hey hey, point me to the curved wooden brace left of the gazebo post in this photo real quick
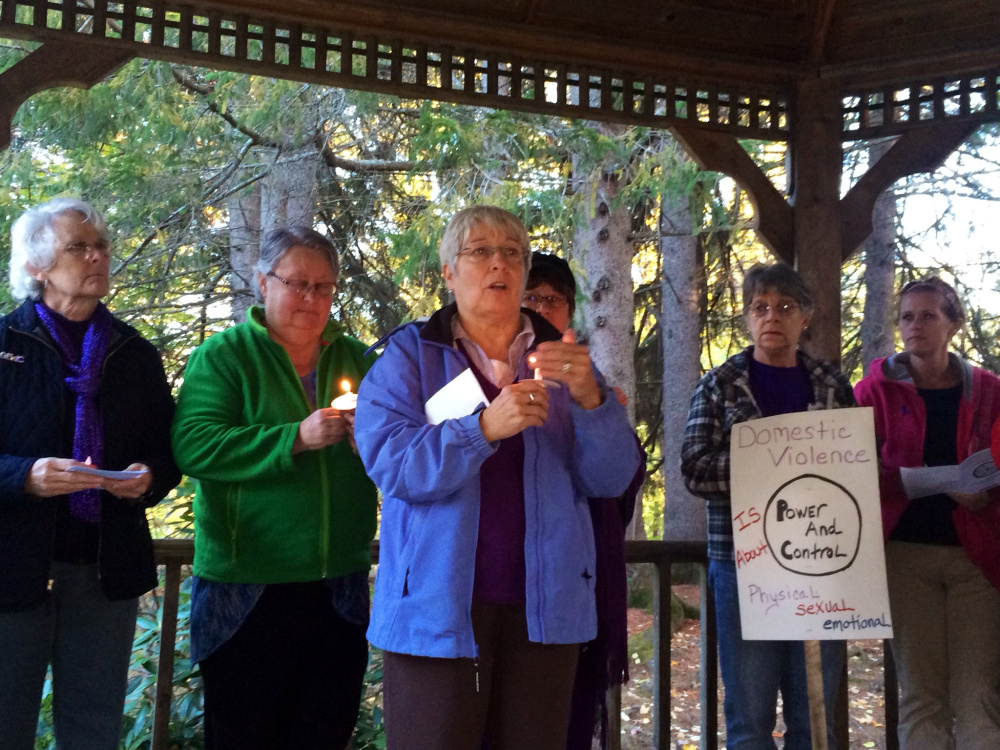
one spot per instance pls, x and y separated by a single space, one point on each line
720 152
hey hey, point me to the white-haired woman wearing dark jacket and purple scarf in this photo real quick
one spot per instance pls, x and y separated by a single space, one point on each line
79 391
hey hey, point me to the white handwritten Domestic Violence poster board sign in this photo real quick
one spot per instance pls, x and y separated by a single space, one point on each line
807 527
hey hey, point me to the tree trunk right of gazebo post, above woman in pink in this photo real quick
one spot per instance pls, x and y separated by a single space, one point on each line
877 324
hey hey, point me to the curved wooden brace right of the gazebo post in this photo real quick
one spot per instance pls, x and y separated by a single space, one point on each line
916 151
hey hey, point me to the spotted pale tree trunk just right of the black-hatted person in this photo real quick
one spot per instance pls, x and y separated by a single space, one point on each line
604 245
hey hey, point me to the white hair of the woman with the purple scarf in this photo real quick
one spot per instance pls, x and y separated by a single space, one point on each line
32 241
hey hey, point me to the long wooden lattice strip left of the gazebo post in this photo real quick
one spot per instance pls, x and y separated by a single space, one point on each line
418 69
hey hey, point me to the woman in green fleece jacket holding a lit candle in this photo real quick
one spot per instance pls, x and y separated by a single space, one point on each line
284 512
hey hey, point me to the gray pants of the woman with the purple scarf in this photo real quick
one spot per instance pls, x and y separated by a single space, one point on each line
88 640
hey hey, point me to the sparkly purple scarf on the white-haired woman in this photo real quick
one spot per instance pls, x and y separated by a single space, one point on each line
83 379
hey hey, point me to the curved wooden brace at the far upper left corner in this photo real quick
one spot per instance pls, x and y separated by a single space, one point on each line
66 63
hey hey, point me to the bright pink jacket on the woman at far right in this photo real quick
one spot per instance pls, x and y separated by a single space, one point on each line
900 424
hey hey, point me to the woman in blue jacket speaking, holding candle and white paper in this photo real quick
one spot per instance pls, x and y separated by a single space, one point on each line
485 585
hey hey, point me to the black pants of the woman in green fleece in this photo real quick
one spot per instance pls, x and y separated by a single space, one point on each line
290 677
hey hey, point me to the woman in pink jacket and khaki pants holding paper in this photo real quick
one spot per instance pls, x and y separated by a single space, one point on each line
933 408
